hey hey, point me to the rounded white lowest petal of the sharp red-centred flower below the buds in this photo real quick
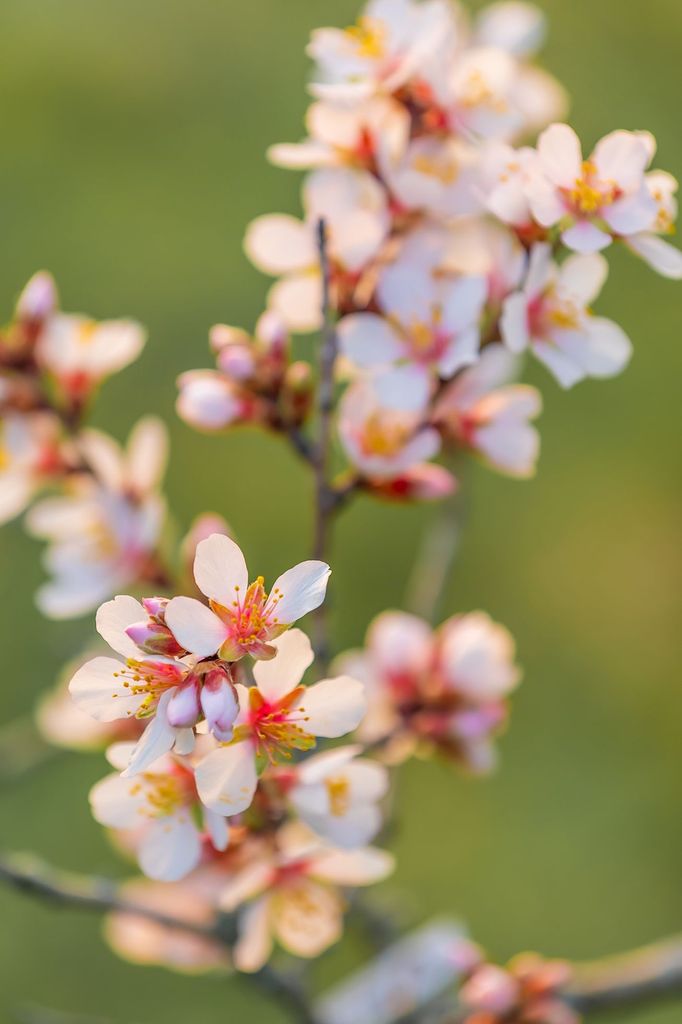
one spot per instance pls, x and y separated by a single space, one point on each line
227 780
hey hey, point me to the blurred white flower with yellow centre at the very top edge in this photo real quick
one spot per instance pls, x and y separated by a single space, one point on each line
391 42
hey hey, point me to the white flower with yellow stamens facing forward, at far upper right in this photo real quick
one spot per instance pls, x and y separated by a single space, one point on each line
592 201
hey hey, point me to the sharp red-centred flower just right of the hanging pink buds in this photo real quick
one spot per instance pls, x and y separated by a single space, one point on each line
277 717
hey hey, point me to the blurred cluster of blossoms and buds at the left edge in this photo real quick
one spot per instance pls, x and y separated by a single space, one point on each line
105 523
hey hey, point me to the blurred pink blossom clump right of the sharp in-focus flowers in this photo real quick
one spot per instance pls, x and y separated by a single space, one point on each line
445 691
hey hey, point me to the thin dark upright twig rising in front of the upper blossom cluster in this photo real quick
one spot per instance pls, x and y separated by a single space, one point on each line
326 498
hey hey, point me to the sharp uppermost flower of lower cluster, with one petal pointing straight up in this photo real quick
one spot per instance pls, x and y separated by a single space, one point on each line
242 618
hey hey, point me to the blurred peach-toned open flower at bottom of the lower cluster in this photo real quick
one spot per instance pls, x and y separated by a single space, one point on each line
294 898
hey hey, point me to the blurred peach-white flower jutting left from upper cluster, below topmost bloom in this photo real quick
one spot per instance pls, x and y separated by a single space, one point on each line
372 136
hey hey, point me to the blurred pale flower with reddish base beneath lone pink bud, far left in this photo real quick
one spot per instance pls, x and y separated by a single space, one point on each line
79 353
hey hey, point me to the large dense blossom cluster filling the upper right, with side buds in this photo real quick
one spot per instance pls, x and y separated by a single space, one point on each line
453 246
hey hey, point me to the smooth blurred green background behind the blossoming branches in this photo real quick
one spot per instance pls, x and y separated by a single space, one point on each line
133 159
